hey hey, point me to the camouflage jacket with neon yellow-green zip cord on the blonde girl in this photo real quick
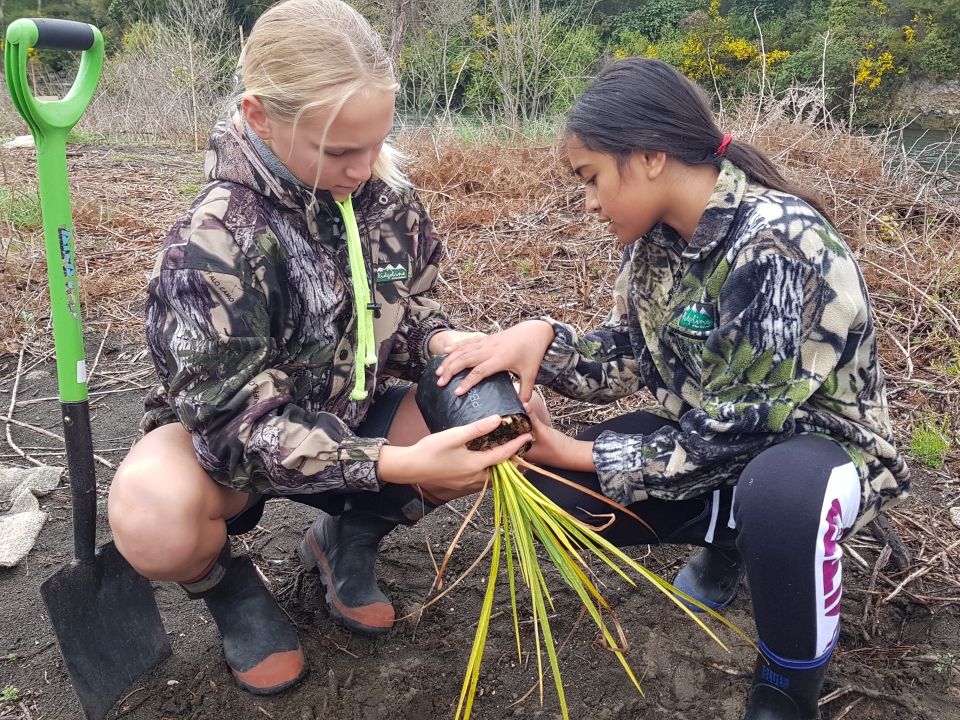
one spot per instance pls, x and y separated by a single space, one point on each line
251 324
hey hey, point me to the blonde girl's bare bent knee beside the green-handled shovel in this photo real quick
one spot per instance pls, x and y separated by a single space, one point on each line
167 514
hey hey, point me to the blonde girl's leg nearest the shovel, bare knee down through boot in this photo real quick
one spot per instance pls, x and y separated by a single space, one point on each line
169 521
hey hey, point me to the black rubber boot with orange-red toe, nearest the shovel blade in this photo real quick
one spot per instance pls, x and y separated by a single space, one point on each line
260 645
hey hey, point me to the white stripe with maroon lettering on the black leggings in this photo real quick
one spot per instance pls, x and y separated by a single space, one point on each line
841 501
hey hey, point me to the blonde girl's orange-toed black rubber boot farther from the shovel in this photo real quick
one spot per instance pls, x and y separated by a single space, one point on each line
343 550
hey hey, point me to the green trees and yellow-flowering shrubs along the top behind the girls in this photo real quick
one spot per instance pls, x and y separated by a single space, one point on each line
521 62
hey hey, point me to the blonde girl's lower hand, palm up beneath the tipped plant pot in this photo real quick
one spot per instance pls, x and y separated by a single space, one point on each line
442 463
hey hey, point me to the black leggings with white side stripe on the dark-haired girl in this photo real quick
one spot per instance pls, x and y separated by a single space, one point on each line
791 506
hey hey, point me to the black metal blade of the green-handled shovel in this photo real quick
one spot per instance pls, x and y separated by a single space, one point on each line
107 625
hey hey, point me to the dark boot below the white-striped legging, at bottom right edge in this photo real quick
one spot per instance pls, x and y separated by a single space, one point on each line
785 693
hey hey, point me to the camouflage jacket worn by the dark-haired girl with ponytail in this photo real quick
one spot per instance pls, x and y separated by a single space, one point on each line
758 329
